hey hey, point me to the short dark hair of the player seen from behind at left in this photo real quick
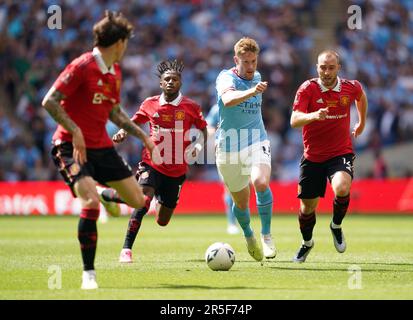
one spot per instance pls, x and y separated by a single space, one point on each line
111 28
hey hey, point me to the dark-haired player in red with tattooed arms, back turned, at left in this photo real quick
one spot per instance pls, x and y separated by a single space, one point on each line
84 96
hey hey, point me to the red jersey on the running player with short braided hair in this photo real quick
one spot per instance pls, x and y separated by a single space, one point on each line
169 122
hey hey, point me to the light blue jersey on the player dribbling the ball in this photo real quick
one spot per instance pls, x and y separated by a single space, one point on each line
239 126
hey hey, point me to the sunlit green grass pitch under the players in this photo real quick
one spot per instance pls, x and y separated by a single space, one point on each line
169 261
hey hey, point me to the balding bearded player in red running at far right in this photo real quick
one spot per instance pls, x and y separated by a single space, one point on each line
322 109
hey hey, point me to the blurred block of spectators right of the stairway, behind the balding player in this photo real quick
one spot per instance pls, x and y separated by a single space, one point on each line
381 56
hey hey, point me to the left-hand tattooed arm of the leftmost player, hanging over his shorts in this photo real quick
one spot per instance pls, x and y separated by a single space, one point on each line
51 103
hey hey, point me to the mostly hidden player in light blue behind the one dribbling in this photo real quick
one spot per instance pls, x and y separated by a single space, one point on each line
213 119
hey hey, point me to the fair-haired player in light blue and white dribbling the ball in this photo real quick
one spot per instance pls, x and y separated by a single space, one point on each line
243 149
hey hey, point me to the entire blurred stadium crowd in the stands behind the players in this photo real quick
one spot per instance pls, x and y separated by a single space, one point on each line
202 34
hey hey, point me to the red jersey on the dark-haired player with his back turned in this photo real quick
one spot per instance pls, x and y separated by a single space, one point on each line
91 91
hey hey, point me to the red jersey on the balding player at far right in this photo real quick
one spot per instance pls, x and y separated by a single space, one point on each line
327 139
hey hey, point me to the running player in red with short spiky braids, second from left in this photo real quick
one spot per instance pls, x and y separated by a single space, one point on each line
170 115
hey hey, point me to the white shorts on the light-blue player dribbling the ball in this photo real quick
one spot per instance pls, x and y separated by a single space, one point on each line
234 168
